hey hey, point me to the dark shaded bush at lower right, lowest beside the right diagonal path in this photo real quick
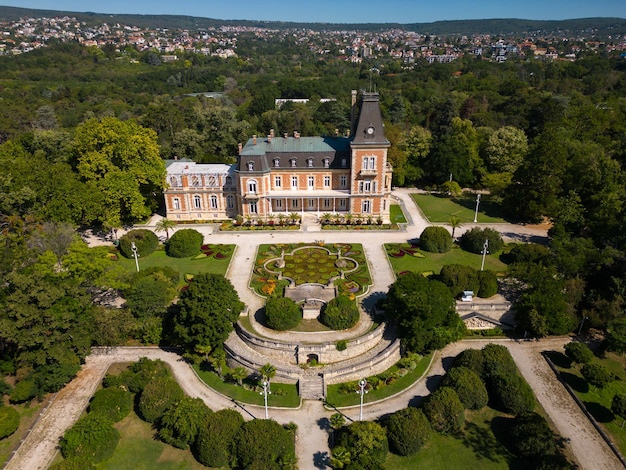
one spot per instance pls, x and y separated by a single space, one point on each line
531 436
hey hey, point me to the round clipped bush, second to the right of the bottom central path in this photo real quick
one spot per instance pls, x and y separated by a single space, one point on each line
407 431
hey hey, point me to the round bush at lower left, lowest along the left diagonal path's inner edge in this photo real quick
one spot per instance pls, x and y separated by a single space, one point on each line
92 437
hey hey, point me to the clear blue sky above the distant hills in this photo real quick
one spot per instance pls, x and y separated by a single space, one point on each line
345 11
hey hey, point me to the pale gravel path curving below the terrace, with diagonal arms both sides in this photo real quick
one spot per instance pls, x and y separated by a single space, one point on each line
39 448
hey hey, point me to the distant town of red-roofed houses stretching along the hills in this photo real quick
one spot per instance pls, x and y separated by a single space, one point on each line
30 33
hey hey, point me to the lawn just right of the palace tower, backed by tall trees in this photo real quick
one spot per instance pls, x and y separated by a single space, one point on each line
439 209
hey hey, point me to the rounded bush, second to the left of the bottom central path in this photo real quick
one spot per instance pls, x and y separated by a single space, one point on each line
215 446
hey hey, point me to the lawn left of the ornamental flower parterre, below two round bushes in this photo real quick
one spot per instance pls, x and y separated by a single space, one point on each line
208 264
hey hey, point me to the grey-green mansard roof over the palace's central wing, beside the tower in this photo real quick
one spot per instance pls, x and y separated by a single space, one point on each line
266 150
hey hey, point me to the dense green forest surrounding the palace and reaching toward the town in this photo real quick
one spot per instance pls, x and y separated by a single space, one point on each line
84 131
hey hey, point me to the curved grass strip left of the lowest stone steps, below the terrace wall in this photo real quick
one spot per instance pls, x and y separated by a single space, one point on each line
283 395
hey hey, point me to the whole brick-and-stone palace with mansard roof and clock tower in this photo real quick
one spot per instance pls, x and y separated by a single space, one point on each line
291 173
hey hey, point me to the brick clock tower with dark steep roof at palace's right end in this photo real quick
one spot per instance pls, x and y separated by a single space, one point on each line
371 173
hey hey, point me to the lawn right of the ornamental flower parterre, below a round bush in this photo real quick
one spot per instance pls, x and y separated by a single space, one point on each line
425 262
